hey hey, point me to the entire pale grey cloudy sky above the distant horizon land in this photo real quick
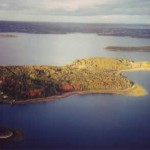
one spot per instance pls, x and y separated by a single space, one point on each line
107 11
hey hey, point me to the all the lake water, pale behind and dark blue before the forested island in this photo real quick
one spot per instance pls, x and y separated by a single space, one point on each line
96 121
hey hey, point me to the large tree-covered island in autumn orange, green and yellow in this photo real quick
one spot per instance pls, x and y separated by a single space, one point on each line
27 84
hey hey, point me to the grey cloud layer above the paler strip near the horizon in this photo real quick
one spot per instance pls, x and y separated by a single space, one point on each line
78 7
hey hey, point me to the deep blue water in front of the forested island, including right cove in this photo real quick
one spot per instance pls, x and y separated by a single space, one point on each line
98 121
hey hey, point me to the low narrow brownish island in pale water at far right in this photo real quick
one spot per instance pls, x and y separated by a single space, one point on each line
129 49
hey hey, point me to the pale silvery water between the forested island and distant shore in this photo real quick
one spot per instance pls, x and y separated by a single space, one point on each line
52 49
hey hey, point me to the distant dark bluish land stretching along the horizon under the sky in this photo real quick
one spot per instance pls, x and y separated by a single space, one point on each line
122 30
